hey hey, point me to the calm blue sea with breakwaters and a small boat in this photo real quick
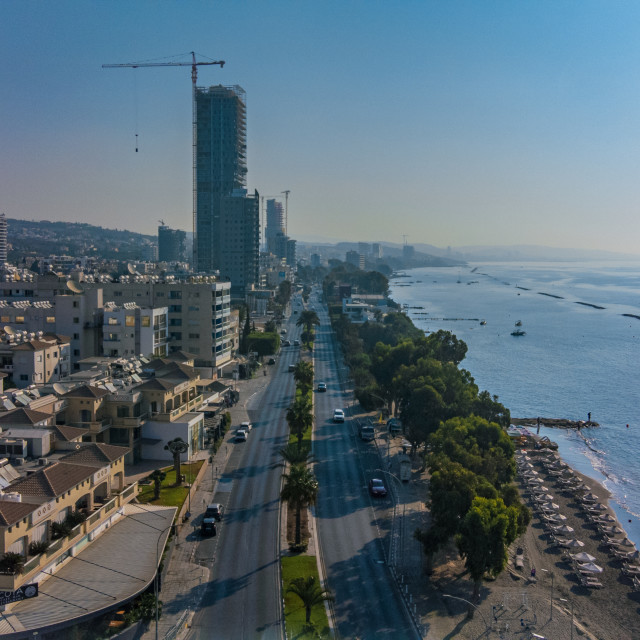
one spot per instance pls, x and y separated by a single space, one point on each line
580 353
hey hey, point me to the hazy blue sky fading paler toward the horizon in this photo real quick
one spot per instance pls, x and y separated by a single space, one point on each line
456 123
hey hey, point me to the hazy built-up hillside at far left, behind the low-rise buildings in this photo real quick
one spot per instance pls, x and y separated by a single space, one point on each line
33 238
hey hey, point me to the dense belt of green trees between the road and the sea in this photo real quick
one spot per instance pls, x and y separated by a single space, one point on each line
458 430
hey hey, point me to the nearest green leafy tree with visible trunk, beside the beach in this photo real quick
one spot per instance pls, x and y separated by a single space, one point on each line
485 533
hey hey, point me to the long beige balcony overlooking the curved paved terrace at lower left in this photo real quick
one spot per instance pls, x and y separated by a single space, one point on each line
63 545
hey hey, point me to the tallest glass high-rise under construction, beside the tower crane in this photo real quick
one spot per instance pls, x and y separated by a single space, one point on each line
227 220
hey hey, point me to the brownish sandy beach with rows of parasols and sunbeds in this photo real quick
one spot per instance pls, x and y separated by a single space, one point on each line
519 605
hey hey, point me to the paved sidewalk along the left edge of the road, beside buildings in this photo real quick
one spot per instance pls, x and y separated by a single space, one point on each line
183 582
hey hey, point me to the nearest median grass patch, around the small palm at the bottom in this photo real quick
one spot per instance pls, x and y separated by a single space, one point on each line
294 613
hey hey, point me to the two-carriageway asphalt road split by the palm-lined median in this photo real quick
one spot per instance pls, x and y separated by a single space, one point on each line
243 599
